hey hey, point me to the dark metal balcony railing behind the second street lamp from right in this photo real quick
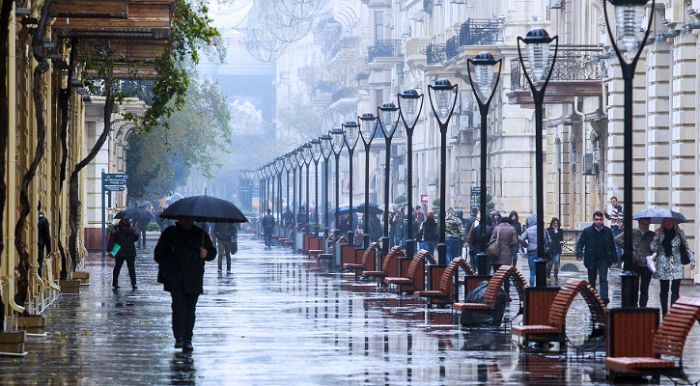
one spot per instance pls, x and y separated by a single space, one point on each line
573 63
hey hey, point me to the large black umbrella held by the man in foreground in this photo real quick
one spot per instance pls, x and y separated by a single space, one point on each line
205 209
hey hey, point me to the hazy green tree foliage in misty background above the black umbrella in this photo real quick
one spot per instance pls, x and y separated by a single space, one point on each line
193 137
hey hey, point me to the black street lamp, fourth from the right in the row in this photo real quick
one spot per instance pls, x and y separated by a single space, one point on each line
445 95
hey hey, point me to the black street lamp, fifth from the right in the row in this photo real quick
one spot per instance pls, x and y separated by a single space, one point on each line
409 110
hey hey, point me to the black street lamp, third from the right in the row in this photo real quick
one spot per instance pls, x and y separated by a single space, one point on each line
483 77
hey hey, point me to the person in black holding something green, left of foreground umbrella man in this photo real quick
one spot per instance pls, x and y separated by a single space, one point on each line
121 247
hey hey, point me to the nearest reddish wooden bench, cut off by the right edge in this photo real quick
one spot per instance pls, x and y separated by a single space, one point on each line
669 340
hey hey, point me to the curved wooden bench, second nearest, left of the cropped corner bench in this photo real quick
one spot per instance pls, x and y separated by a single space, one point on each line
555 329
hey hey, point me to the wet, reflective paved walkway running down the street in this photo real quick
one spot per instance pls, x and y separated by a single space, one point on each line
273 321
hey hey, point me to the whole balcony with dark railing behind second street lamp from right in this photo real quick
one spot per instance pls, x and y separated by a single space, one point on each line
577 72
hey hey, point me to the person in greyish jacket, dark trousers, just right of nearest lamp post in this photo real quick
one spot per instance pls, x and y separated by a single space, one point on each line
641 248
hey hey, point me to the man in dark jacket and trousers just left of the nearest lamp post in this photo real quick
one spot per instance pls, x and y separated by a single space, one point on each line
597 249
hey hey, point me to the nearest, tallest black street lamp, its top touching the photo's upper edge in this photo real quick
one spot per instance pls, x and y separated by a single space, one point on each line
628 44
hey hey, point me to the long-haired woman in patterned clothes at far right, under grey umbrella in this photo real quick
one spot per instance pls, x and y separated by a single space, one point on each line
670 252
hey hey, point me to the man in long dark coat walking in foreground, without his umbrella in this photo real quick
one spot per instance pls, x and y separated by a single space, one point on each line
180 253
